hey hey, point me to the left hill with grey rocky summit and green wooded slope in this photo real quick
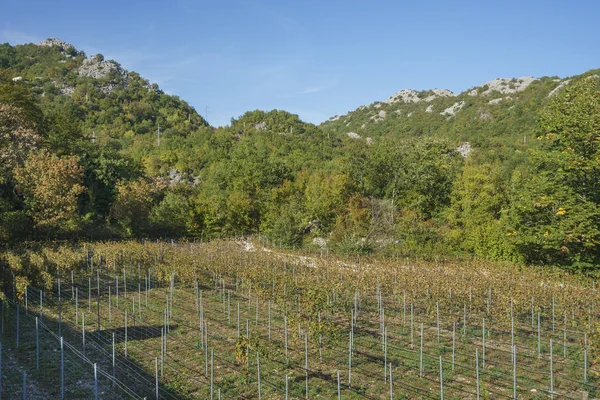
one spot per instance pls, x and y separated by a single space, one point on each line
109 102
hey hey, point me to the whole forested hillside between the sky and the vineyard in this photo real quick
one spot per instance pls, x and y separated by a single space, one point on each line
90 150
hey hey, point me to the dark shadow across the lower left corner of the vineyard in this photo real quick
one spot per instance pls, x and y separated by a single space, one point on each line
133 381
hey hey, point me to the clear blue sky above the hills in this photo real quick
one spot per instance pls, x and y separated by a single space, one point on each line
316 58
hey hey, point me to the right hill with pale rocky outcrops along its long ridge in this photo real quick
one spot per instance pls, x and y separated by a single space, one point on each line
499 114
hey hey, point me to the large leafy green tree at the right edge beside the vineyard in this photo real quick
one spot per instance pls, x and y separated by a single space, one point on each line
554 212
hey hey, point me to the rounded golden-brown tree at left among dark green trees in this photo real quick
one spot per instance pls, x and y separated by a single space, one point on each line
51 186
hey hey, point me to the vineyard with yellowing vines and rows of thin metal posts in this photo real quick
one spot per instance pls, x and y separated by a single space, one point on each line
240 320
